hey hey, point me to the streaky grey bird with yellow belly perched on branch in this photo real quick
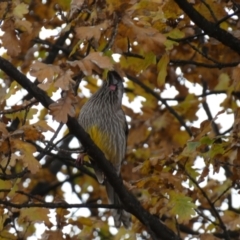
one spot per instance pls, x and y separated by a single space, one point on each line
103 118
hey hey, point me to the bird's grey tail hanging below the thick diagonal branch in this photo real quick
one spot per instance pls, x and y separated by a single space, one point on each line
119 215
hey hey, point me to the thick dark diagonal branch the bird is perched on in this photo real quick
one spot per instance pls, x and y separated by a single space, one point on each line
130 203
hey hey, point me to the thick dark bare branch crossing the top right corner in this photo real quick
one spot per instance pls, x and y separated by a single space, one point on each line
209 28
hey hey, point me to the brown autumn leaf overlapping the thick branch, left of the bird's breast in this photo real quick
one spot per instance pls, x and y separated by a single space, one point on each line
64 107
